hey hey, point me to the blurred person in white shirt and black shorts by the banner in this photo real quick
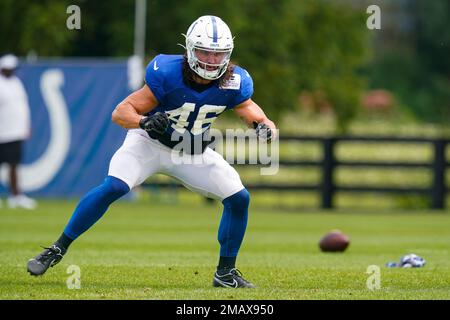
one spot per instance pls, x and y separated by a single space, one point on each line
14 128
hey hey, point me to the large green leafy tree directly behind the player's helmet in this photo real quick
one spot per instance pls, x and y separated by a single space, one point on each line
287 46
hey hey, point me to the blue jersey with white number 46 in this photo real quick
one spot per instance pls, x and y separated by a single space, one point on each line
192 112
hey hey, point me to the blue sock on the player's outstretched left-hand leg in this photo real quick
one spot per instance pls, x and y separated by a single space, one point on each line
93 205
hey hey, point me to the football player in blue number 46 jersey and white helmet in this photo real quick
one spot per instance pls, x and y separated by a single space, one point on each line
182 96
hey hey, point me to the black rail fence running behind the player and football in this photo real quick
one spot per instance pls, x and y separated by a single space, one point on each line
329 163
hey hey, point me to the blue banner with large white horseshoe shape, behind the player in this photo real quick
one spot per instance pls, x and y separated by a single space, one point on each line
73 138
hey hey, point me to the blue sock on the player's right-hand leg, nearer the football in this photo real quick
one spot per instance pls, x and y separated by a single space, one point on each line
233 224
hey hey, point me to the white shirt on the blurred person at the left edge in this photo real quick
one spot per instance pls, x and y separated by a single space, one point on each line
14 110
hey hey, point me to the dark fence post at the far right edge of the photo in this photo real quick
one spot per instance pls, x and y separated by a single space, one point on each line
438 190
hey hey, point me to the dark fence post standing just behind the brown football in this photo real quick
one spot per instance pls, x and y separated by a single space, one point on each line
328 165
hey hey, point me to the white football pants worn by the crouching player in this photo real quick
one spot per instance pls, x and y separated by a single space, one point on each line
140 157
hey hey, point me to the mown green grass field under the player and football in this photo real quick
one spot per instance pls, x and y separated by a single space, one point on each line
162 251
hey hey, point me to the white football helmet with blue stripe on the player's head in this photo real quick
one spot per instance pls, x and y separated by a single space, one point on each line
209 44
